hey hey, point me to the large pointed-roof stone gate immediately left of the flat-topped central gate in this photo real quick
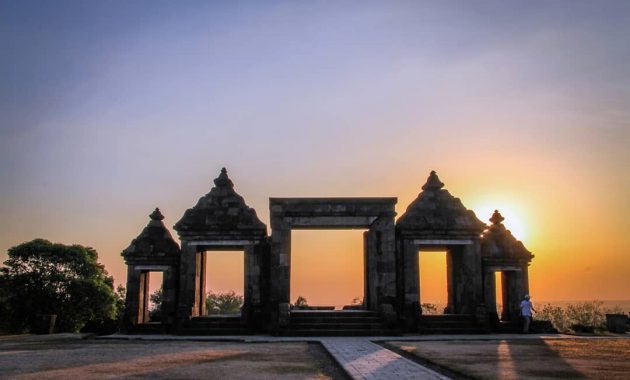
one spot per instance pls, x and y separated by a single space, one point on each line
220 221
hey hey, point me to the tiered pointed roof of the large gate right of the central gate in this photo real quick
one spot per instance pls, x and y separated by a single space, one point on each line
435 213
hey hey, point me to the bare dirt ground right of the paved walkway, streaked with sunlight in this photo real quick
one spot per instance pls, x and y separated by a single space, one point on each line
518 359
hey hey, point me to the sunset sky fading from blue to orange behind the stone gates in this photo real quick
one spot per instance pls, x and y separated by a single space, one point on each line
111 108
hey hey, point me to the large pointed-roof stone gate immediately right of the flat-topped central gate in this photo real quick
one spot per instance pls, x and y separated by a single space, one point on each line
438 220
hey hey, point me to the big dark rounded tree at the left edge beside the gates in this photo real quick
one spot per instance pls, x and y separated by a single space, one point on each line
45 278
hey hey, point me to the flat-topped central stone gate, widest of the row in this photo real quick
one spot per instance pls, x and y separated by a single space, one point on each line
374 214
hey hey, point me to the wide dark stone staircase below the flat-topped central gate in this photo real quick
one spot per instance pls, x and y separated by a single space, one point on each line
335 323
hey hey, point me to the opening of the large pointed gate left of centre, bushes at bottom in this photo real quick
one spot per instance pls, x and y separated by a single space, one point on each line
224 282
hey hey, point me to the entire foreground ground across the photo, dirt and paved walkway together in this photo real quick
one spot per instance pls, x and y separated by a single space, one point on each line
237 357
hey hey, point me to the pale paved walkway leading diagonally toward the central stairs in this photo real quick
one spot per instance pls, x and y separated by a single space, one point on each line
362 359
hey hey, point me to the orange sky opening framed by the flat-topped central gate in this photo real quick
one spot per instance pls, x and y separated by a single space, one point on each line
327 269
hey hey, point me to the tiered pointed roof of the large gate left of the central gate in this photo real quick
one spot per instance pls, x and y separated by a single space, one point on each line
222 214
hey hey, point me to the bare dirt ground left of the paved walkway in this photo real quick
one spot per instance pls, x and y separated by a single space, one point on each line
69 357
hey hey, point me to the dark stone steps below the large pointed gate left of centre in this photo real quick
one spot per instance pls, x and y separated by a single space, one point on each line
215 325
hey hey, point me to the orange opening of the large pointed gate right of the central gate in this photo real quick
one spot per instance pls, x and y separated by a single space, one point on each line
433 280
